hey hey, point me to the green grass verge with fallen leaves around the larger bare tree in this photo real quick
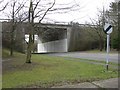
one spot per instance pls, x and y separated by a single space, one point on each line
47 71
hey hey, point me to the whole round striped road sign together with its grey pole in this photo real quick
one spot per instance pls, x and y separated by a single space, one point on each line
107 30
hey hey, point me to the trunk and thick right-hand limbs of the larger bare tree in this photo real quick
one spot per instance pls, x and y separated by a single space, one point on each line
31 26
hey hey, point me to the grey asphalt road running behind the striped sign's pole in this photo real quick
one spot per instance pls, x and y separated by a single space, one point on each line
91 56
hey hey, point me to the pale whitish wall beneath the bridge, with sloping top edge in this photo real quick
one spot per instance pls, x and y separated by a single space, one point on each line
53 46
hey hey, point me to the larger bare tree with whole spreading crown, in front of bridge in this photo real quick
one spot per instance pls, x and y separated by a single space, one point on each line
38 11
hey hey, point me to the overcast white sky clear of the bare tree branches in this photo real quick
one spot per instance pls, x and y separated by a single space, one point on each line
88 9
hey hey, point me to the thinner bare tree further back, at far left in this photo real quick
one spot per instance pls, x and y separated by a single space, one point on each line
14 10
